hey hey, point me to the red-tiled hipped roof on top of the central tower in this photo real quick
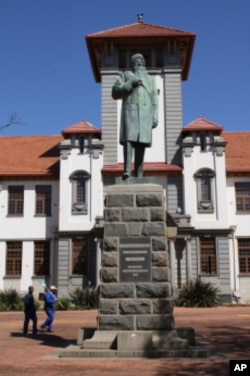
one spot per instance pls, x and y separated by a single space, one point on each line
139 34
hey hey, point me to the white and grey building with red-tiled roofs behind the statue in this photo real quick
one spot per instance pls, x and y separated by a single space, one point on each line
52 188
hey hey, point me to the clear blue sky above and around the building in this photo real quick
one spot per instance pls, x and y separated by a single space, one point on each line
45 72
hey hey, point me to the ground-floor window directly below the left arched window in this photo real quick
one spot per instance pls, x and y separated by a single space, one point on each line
80 256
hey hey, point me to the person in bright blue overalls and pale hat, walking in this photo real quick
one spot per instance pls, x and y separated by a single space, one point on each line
50 300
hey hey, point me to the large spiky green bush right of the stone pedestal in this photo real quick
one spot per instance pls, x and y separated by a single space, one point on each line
198 294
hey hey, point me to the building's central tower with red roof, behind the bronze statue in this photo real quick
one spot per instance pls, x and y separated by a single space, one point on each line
168 54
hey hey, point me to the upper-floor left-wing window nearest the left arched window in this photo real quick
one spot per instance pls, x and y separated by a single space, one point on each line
44 197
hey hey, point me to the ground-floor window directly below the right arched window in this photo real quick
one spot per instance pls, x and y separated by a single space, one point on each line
208 263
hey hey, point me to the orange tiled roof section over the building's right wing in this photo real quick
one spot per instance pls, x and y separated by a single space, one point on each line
237 152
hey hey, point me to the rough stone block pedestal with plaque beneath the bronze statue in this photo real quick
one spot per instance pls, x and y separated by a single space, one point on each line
135 289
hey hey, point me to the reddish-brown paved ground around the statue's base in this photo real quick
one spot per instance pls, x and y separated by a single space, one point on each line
225 329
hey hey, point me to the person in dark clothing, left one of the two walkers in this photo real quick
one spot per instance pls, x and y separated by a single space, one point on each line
29 312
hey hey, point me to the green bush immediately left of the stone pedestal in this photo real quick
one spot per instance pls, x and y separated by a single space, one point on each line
87 298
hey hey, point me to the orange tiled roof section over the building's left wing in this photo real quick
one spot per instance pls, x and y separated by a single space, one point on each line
29 156
